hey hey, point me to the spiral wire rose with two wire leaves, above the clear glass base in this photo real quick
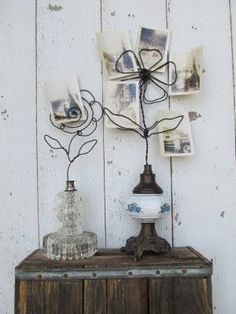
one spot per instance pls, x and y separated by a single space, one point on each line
80 128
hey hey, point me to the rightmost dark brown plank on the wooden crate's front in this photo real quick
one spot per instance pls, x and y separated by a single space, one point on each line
179 296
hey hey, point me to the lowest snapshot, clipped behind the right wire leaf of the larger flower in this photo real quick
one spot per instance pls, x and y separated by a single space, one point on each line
175 142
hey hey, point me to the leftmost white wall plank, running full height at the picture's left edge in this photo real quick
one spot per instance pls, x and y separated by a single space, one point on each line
18 210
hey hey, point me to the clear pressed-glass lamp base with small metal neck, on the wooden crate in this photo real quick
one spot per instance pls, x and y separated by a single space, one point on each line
70 242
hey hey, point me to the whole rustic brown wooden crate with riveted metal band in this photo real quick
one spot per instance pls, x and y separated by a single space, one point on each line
111 282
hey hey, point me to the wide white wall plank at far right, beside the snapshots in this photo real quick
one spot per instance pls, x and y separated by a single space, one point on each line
204 185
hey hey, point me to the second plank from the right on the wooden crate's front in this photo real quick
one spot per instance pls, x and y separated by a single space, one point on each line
127 296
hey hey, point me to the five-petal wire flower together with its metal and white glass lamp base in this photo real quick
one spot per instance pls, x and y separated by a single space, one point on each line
145 202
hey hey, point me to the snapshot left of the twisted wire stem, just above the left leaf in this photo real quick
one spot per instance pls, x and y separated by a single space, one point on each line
122 98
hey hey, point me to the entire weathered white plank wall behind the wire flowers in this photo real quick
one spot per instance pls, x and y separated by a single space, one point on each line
203 185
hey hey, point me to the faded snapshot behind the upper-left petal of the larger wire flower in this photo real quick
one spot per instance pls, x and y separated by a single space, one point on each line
112 44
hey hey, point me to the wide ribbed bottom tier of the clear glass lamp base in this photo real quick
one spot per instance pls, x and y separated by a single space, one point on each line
59 246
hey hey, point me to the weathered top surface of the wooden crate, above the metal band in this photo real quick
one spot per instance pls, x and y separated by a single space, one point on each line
115 258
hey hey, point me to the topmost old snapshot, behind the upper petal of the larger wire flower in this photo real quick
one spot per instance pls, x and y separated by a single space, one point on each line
153 39
